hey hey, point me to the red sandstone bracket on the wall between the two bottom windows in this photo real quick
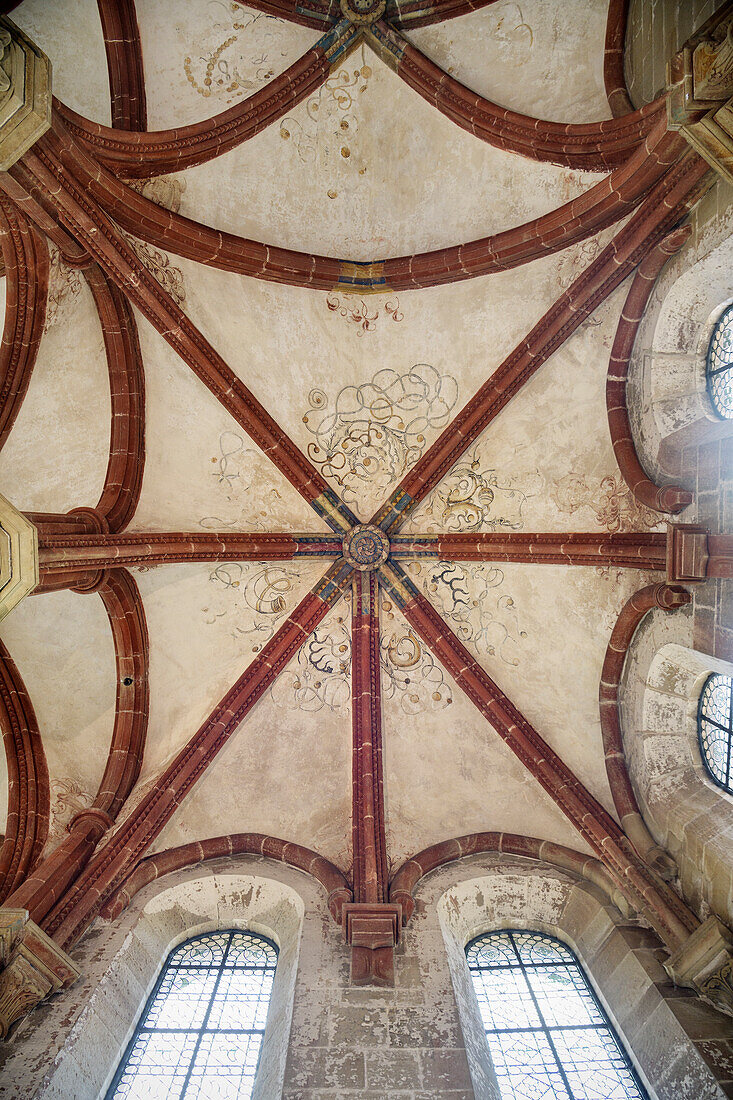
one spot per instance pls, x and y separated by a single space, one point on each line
374 933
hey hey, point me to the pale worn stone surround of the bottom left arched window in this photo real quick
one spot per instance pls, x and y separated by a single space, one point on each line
125 960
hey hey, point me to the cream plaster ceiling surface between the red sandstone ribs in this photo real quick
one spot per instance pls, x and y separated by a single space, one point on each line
411 181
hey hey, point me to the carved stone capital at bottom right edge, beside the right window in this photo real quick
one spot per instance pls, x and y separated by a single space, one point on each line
705 963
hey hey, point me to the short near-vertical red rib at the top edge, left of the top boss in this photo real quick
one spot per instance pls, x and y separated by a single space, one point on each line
125 64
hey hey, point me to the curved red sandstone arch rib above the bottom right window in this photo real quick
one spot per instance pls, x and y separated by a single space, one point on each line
402 888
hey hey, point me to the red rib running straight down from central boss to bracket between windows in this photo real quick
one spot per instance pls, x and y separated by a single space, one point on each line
370 863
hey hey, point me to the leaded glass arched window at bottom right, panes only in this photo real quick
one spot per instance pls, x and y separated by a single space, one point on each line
549 1037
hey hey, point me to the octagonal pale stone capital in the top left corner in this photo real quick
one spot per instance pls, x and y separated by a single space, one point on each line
25 94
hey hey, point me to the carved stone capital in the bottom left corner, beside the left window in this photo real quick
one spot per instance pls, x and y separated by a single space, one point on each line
34 967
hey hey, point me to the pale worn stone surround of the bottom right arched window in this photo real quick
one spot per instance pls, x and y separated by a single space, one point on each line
621 959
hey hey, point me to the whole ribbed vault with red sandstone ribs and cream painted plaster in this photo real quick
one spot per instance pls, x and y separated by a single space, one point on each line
377 553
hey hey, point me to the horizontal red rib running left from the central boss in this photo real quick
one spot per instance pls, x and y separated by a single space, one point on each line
59 554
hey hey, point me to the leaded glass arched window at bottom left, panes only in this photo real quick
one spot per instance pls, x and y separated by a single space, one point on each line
201 1033
